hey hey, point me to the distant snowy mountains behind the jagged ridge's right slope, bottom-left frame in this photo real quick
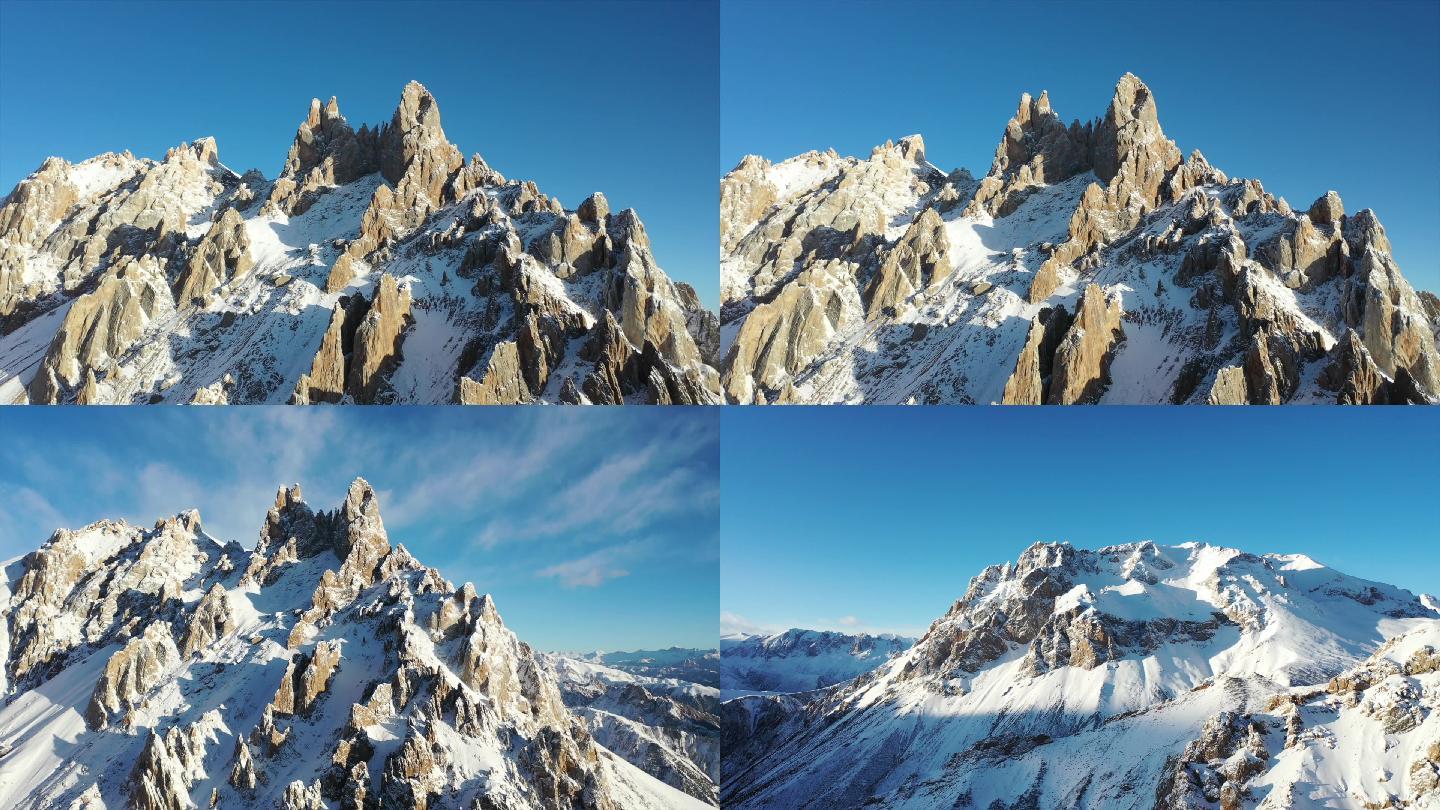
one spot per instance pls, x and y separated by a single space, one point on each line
667 727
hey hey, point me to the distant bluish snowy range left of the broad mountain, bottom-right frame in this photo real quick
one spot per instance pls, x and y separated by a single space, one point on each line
800 661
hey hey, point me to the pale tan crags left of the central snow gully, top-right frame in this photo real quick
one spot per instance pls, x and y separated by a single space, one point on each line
807 262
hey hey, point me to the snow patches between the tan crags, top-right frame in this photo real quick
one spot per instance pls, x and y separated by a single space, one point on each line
950 345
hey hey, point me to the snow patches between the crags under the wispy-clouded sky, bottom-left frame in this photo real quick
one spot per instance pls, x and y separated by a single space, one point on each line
51 757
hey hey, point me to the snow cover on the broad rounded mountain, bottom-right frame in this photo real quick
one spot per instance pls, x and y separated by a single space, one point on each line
1102 737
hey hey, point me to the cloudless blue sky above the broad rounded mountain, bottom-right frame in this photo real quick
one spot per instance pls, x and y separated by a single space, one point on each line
878 518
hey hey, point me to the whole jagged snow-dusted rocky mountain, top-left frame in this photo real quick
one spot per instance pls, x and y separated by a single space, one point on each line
379 267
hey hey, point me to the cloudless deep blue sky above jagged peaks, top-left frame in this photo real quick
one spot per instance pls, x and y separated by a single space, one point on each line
578 97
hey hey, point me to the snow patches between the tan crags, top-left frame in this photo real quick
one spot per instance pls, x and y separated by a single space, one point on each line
266 328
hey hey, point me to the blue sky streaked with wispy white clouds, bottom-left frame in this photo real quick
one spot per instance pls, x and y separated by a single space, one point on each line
594 530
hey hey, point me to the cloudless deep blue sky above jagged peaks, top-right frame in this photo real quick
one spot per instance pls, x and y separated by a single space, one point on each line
1307 97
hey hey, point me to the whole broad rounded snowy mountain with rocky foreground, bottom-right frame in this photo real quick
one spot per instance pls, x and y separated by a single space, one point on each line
1131 677
